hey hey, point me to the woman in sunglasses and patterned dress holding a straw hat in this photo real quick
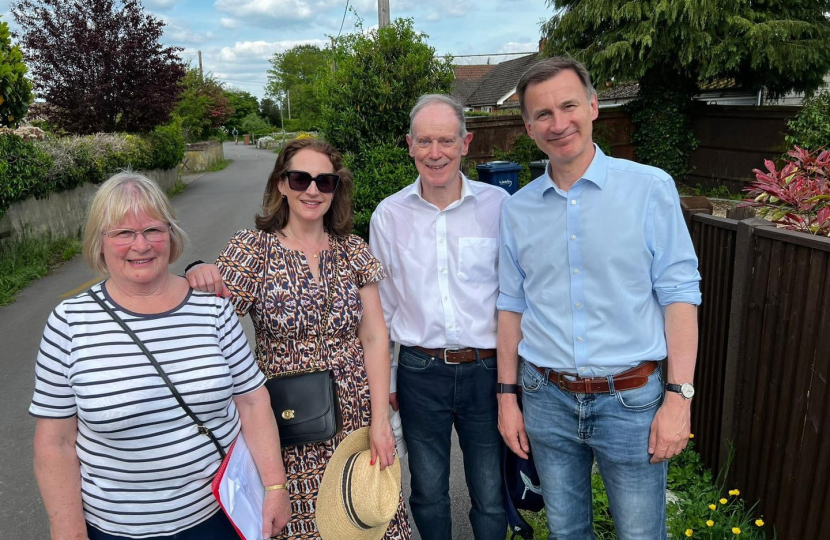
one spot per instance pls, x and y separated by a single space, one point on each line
281 274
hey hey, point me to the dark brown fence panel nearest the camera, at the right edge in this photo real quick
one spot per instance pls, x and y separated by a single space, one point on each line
782 404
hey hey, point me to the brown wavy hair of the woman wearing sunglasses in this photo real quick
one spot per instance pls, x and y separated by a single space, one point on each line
275 213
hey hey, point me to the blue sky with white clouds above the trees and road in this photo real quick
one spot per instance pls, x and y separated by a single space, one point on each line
237 37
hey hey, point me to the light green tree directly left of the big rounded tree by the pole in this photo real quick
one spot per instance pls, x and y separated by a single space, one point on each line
293 79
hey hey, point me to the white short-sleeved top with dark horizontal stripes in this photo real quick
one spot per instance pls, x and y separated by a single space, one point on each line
145 470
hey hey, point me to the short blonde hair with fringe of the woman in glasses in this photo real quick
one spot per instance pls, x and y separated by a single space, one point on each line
124 194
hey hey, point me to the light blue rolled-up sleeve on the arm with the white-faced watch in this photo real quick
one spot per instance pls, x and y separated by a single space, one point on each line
674 269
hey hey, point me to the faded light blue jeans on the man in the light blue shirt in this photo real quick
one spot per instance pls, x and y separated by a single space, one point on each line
567 431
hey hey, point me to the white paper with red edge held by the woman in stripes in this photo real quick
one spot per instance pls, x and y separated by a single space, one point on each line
241 492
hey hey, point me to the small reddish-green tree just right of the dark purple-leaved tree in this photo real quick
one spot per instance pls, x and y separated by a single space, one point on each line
202 107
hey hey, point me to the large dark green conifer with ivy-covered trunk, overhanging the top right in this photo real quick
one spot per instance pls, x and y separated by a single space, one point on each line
669 46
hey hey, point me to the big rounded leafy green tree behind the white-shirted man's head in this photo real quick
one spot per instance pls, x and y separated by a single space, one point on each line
378 77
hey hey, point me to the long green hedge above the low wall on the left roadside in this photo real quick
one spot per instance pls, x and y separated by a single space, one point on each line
35 169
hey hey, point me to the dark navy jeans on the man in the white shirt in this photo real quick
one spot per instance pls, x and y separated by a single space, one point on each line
434 396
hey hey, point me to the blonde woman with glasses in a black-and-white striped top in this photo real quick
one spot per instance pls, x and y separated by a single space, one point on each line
141 386
